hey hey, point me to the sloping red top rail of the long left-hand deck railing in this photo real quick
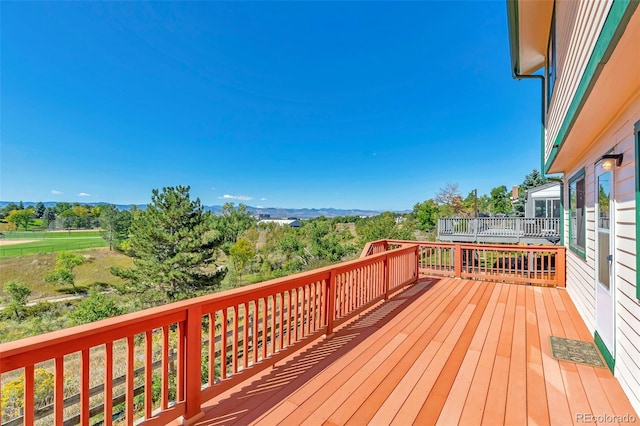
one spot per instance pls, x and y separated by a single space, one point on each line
72 339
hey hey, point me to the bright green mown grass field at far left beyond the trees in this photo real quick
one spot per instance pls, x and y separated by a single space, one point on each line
50 242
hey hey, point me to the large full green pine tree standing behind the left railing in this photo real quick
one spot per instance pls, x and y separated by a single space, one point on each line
173 248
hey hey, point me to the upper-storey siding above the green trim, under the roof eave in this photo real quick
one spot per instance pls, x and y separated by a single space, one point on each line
578 25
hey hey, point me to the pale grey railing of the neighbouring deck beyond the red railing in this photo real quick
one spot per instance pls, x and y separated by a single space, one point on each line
500 230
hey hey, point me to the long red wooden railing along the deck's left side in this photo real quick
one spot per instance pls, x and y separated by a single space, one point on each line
217 340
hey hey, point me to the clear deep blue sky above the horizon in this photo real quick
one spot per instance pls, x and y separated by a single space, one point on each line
371 105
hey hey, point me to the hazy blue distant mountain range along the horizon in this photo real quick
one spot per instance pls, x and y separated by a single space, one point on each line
273 212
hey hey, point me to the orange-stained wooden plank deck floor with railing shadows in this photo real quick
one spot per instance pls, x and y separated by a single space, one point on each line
444 351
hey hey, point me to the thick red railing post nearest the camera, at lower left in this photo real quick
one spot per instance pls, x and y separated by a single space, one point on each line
193 342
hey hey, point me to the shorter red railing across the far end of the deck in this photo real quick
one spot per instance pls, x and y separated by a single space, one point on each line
538 265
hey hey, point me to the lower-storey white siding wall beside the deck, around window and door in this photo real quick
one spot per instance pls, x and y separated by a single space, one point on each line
581 277
